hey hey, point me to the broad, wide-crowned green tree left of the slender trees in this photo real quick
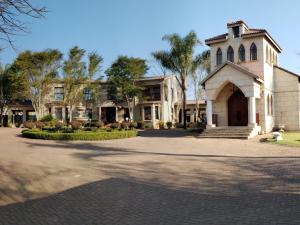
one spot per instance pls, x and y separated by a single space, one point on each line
31 76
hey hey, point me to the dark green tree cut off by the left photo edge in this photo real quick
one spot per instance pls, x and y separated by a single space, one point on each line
4 92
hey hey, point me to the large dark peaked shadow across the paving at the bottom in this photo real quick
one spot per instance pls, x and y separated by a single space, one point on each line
123 201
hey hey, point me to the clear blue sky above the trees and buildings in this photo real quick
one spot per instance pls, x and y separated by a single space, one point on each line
135 27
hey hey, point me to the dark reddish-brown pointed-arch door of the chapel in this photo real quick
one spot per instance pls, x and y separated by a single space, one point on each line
237 109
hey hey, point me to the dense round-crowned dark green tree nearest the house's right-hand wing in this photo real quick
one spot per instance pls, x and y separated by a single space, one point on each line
122 78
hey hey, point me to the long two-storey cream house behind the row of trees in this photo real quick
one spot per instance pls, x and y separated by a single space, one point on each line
162 96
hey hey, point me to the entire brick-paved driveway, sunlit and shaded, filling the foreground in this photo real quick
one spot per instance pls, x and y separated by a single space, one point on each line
151 179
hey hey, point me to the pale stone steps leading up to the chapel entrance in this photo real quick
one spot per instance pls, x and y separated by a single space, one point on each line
244 132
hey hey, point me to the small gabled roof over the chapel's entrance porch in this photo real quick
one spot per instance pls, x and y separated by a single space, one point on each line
235 66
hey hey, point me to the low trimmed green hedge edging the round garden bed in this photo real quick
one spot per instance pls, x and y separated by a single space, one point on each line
80 135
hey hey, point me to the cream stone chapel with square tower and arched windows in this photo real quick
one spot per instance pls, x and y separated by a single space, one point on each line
247 87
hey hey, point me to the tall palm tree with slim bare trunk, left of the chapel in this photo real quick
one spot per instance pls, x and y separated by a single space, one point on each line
180 60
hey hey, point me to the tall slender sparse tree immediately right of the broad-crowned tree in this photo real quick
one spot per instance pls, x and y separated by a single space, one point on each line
74 77
